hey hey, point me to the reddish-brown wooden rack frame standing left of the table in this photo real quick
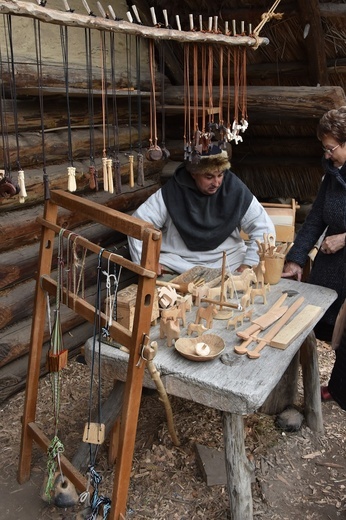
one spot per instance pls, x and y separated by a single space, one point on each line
134 340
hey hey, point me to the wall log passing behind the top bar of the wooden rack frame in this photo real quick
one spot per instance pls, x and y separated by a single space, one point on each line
23 229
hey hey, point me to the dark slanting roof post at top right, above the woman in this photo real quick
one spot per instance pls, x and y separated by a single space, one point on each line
316 56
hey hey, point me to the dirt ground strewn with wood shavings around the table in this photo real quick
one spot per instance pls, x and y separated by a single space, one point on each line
297 476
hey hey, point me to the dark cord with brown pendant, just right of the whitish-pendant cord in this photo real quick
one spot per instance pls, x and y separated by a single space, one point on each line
93 176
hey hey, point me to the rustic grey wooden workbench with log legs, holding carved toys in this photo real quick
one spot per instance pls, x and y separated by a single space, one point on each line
239 387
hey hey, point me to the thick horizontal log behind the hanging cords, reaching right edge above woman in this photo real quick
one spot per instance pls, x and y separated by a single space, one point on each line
273 103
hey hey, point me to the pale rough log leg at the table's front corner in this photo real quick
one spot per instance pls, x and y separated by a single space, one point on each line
238 468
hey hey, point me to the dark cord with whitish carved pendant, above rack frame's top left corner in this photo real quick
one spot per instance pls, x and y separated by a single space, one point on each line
71 170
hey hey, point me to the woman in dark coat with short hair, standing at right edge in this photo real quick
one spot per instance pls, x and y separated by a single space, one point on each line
327 215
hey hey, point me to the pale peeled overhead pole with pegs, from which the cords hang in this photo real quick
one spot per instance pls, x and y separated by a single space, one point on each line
53 16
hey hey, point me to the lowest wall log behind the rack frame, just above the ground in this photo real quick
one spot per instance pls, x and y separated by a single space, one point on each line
13 375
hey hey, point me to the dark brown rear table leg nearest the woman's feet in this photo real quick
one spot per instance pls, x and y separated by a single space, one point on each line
311 380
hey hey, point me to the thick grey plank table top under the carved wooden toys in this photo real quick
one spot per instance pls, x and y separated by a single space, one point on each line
240 387
